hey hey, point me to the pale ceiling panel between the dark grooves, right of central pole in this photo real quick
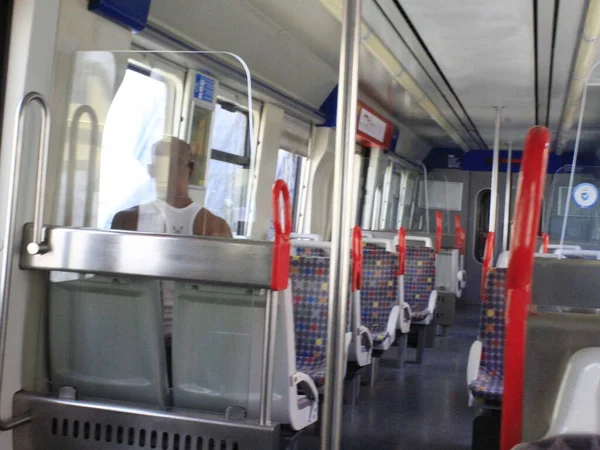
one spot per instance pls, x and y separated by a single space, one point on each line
486 51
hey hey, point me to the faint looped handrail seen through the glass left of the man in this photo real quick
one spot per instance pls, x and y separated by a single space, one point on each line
92 175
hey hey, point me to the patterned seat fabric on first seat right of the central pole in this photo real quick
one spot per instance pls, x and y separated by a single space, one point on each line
379 292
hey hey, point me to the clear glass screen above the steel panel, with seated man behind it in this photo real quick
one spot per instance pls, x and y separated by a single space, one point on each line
151 145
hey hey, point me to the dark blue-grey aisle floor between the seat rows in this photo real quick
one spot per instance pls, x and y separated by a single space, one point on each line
421 407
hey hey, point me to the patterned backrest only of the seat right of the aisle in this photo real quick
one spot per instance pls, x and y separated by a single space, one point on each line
491 322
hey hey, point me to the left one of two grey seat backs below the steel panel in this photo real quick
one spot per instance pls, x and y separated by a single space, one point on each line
107 339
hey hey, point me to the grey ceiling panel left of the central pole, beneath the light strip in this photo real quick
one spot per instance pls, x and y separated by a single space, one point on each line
268 49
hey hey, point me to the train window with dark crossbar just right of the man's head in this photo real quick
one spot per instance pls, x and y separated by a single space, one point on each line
229 166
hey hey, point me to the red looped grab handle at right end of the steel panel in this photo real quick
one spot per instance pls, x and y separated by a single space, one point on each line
281 249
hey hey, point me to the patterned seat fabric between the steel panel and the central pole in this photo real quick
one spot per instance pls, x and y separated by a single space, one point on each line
310 285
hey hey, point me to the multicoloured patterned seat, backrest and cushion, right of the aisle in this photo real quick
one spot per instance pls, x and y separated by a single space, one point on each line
488 387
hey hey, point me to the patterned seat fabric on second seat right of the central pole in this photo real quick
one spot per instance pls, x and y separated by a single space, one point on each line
419 281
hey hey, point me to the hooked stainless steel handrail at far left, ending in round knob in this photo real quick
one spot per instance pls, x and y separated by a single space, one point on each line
37 245
